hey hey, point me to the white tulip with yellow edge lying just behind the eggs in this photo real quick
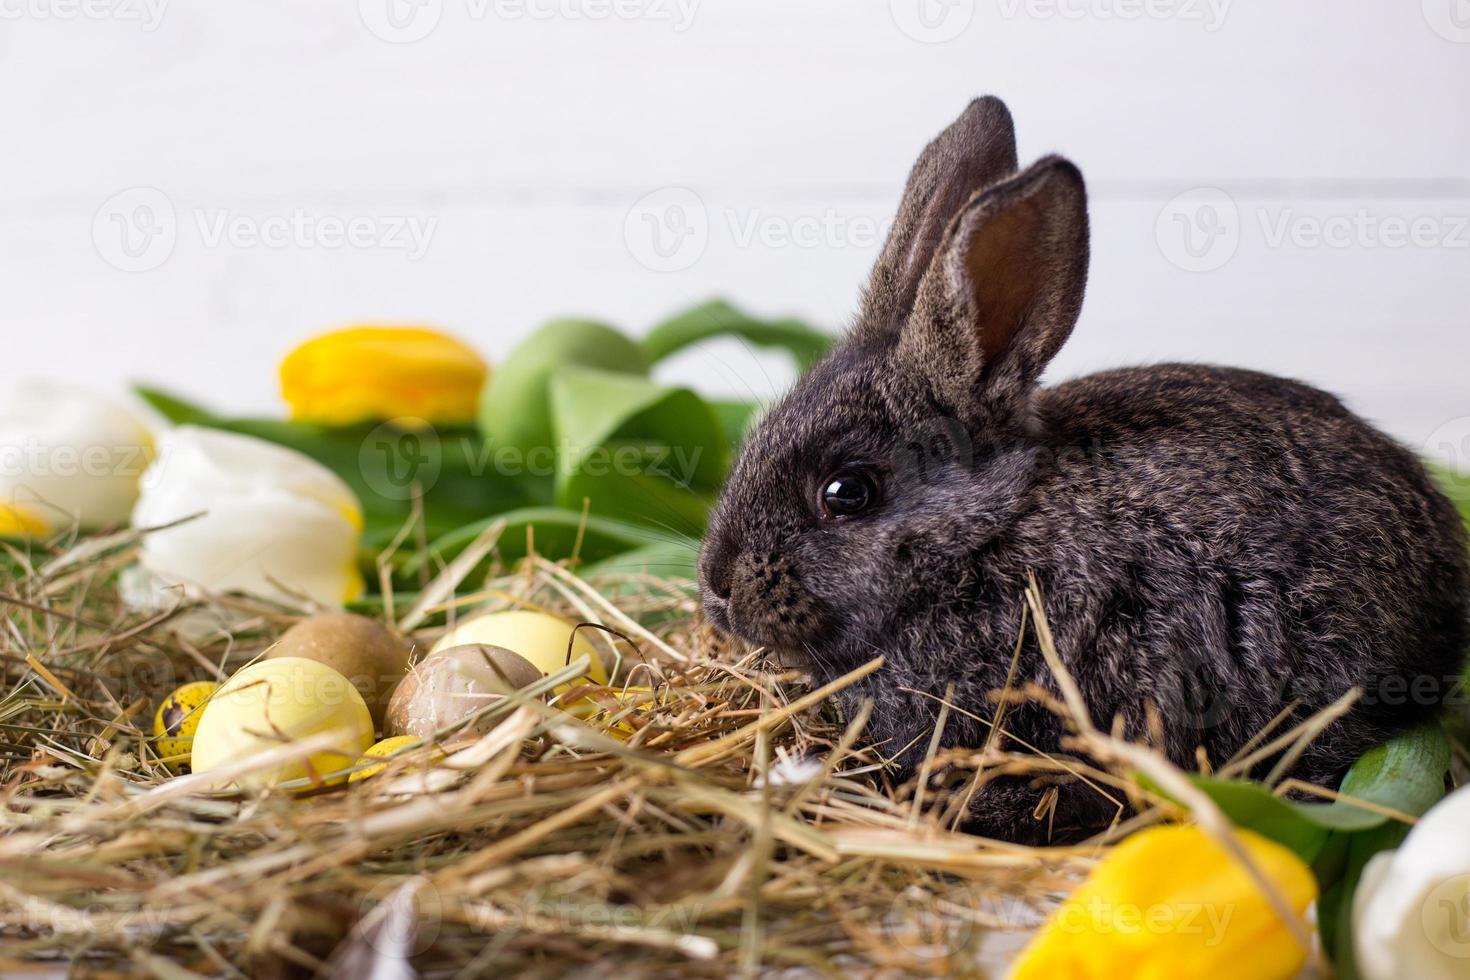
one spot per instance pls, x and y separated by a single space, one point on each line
267 521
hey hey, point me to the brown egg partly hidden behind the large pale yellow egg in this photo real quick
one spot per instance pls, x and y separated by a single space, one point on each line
365 652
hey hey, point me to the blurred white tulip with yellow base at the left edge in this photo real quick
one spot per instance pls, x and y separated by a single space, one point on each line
67 458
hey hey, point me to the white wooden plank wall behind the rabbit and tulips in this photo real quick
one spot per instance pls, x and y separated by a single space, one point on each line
523 136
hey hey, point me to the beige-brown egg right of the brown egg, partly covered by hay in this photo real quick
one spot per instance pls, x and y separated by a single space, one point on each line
455 684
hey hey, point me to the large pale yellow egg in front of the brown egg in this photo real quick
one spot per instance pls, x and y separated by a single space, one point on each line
274 703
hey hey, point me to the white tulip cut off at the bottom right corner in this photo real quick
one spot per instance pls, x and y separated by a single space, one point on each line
1412 910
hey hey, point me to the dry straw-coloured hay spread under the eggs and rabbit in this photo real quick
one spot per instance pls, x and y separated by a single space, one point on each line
736 825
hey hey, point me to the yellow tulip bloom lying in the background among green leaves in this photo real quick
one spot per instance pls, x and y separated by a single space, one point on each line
383 372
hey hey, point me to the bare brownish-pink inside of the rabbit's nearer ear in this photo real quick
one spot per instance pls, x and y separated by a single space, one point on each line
1005 270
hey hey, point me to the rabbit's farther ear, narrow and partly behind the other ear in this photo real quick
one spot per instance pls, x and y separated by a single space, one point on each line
974 152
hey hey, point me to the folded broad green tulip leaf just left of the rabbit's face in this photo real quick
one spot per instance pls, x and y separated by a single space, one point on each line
637 450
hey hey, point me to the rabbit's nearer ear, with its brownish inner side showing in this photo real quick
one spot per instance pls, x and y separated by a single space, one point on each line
1005 292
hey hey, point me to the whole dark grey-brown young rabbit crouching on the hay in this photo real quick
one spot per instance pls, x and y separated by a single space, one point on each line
1215 546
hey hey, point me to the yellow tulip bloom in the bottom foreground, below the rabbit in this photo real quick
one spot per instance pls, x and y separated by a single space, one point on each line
1172 903
